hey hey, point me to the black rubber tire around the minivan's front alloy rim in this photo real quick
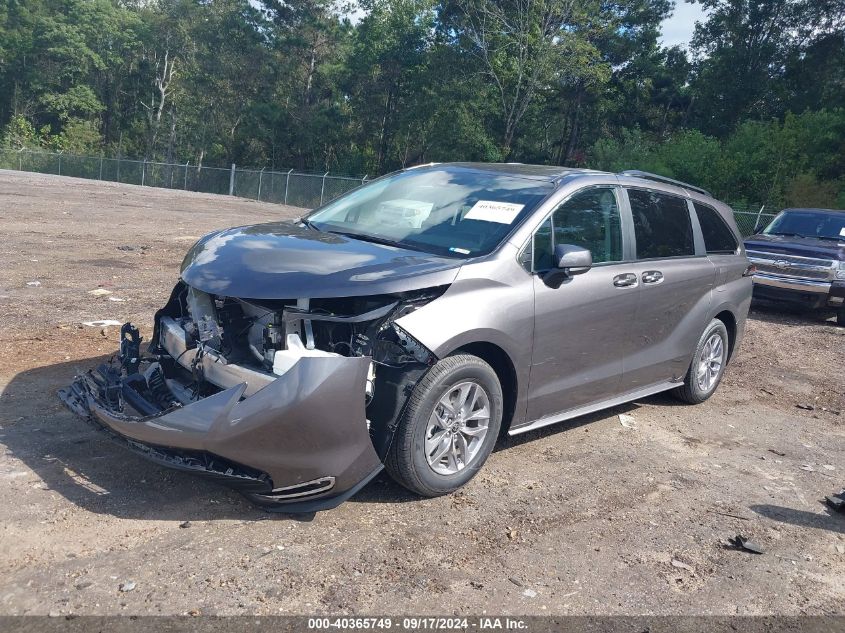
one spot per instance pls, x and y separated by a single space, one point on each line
406 459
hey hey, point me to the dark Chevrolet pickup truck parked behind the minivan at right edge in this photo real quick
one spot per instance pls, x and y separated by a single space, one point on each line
800 260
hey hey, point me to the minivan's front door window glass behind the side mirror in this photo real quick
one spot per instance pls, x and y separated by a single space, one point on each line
589 219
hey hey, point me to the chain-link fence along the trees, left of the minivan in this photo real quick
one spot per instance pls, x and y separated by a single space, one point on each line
296 188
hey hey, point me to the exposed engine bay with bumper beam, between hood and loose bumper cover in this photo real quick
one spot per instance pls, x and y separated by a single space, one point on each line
222 341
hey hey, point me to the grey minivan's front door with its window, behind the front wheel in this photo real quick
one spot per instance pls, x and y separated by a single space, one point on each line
580 333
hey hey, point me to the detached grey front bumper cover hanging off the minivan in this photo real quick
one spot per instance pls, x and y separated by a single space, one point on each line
298 444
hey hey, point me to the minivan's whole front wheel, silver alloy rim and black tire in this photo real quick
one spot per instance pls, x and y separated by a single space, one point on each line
407 460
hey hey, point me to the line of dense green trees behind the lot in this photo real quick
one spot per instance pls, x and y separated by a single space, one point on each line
754 109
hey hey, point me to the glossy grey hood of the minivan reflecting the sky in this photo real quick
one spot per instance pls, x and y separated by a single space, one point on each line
283 260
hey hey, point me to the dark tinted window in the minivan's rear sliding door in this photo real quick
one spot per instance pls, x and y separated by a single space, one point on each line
662 225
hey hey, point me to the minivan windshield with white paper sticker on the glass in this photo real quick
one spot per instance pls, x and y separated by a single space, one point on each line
453 211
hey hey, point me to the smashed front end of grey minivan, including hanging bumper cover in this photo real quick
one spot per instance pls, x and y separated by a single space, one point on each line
292 402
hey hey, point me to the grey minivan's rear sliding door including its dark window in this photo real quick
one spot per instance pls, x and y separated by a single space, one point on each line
676 280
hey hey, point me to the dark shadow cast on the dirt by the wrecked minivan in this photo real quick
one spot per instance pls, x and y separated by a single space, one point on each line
92 472
